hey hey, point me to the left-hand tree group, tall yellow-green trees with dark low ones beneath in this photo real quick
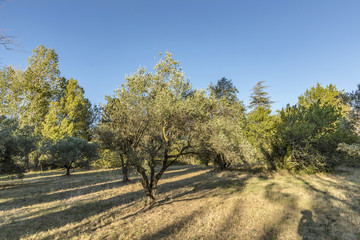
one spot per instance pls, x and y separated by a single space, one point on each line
45 118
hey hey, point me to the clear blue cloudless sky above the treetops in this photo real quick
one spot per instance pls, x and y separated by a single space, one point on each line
291 45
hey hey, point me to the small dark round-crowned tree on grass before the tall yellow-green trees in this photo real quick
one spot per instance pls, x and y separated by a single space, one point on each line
70 151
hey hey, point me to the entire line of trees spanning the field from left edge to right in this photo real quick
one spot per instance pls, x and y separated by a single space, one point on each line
156 118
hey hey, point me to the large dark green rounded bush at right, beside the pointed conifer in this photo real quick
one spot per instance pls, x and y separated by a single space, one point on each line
307 138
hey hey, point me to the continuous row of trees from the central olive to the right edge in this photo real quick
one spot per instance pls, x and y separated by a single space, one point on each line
156 118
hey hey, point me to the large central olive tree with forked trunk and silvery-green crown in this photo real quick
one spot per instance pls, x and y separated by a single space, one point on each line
155 114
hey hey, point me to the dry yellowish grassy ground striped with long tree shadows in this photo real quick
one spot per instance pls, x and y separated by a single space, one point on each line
194 203
